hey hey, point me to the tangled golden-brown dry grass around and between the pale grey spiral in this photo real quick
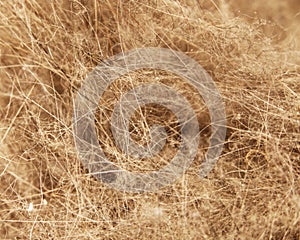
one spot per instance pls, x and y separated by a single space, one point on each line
46 51
